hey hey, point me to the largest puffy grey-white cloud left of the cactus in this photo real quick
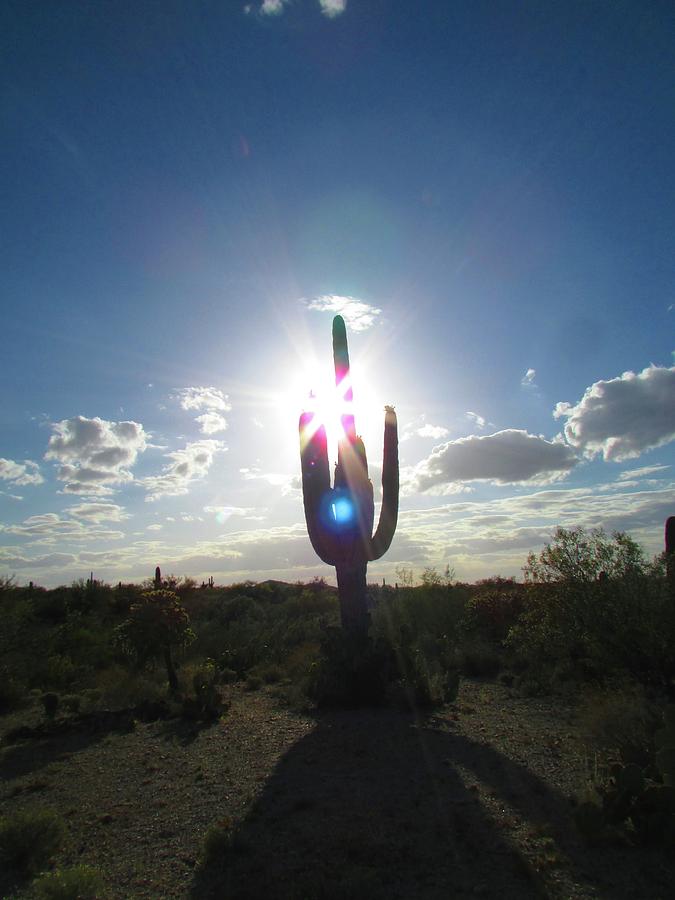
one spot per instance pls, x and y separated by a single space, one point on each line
95 454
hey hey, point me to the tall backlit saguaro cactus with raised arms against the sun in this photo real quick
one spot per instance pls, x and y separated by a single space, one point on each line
340 519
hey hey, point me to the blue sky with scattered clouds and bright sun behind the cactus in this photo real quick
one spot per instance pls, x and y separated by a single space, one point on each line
191 191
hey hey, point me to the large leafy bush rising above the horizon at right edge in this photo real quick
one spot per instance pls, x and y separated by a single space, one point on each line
594 606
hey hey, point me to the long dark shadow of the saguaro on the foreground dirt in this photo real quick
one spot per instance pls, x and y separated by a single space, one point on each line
375 803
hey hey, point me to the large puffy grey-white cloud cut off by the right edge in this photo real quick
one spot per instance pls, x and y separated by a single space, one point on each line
623 417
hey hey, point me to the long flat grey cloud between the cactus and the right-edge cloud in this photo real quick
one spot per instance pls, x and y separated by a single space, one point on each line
506 457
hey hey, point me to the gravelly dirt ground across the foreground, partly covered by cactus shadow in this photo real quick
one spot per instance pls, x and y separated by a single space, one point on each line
474 801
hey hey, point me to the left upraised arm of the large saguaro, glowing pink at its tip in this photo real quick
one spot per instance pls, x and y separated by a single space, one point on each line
315 483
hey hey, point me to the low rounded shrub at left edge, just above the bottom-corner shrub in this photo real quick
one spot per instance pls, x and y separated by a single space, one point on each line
28 839
